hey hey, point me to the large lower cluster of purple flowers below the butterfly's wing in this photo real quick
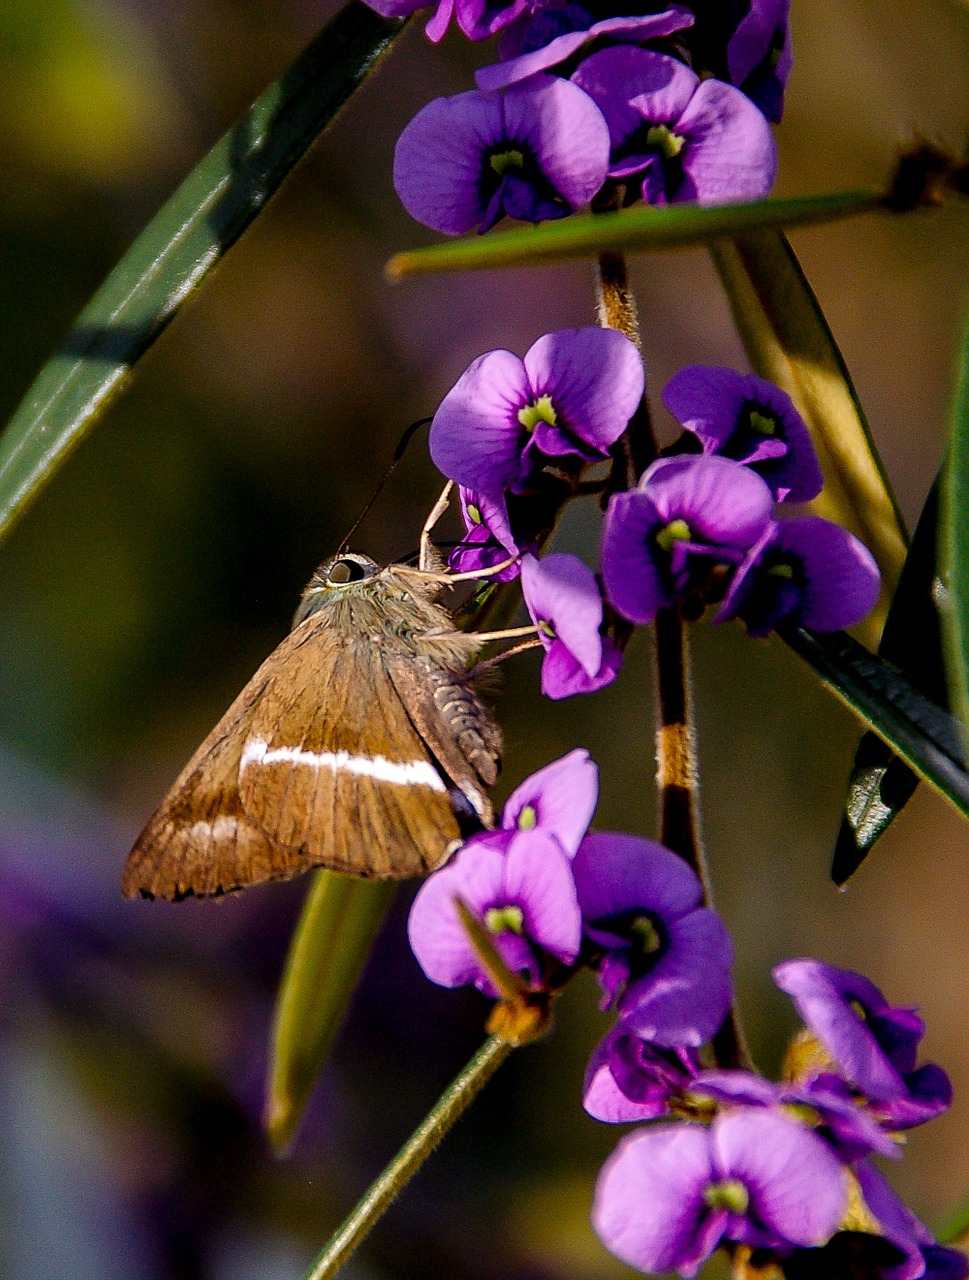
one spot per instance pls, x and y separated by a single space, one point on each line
783 1169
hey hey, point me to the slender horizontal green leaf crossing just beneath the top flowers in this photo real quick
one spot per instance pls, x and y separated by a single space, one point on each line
632 231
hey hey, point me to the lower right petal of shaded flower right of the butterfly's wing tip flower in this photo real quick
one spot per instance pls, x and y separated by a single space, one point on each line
687 996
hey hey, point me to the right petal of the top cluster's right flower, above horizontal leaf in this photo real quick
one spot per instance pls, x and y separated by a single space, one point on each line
732 154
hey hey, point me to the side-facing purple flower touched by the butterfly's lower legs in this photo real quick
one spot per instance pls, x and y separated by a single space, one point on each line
564 600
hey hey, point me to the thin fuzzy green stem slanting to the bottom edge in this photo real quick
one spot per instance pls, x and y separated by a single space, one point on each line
440 1121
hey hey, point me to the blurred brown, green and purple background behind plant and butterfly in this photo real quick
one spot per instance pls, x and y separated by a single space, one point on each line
166 560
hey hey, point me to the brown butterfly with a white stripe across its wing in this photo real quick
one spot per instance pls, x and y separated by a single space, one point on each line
360 746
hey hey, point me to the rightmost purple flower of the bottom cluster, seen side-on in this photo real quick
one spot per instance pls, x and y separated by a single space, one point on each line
872 1043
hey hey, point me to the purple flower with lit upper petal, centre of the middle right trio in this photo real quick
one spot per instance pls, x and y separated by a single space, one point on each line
680 534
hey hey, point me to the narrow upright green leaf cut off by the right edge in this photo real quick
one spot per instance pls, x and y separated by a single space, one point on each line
954 542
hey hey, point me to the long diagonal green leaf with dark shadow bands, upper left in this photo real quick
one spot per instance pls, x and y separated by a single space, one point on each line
179 250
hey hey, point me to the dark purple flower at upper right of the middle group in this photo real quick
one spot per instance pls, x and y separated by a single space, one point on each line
752 422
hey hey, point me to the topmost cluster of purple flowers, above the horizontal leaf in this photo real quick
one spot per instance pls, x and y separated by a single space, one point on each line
591 103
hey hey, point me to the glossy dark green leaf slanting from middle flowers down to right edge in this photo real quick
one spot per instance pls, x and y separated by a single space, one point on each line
925 735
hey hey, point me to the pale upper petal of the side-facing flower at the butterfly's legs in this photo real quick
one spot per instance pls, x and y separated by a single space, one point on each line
563 593
